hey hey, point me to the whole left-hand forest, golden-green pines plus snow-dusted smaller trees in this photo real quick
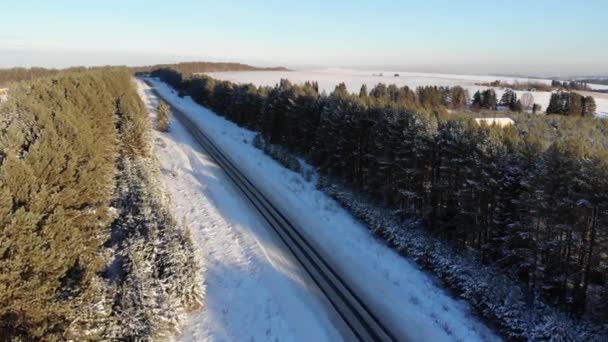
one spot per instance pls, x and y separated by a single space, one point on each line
81 257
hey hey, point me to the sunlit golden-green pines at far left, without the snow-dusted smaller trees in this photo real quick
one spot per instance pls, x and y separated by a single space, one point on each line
57 151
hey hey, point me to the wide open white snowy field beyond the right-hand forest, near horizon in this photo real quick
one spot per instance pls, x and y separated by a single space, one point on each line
354 79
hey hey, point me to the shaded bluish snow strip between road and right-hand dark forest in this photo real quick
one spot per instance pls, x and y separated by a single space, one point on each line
409 300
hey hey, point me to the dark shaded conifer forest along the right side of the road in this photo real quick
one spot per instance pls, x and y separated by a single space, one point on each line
535 206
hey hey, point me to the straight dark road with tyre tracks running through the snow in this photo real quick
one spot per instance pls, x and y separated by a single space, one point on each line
363 323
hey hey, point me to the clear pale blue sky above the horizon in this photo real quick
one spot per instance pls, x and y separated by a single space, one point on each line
522 36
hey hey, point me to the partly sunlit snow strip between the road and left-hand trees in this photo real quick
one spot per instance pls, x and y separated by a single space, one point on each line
252 291
